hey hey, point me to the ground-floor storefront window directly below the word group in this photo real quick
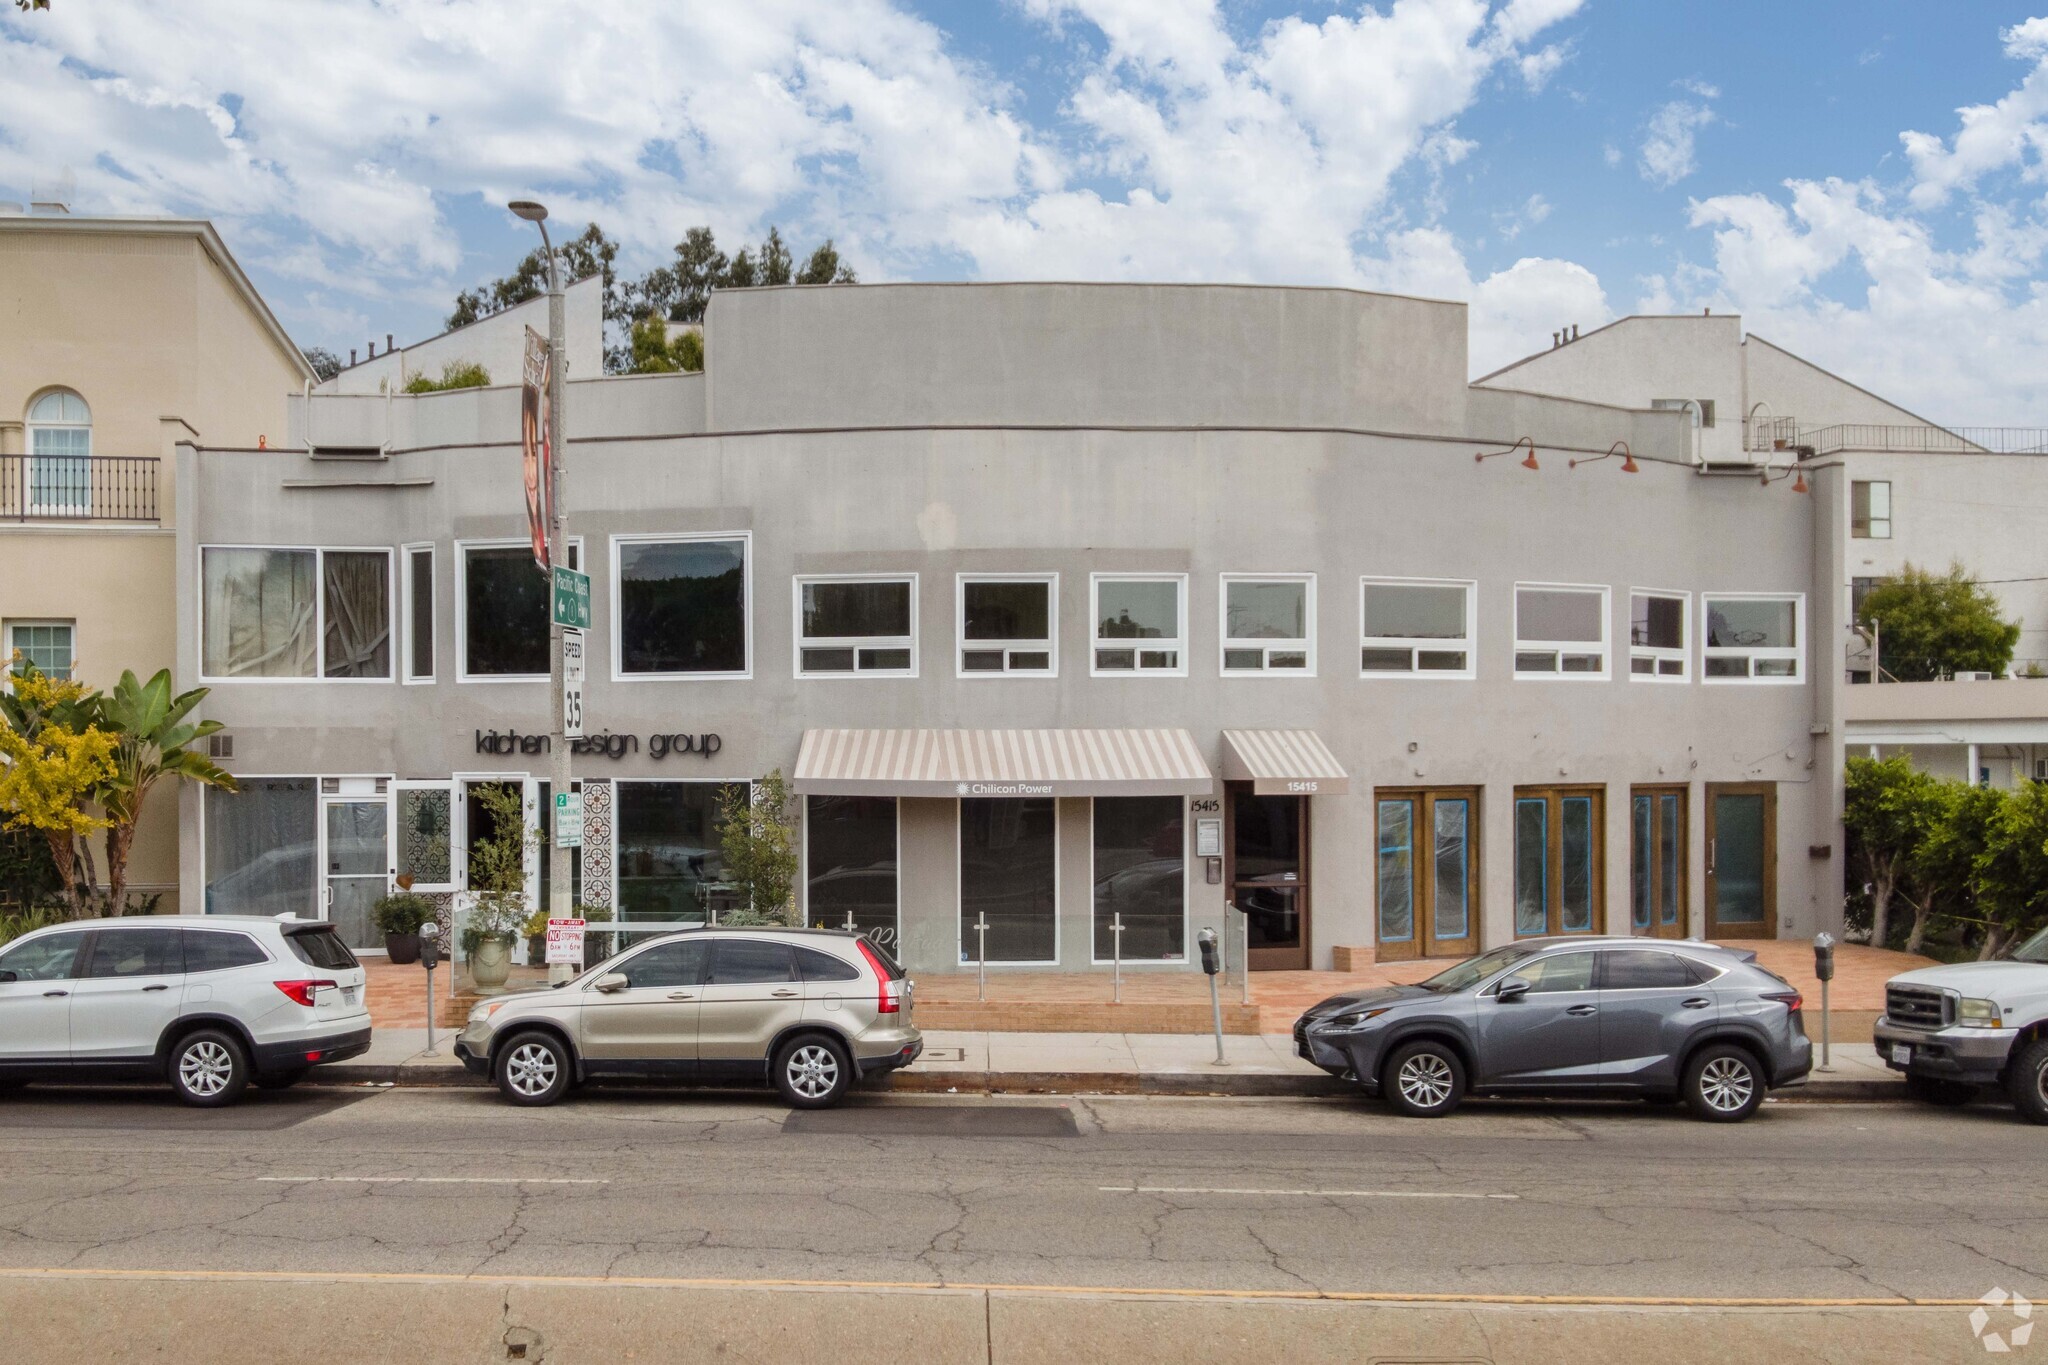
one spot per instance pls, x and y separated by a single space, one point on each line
669 856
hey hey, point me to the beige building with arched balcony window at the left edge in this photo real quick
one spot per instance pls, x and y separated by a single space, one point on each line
118 341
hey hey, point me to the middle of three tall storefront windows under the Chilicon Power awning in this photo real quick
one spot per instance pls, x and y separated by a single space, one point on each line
1009 875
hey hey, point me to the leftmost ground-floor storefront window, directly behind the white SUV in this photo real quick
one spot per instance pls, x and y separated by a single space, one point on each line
263 848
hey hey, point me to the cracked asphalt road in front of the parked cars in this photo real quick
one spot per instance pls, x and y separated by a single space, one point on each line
1211 1194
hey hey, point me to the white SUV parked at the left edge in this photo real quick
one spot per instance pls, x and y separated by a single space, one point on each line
206 1004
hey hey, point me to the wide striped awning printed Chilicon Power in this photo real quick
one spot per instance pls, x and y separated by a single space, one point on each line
1002 764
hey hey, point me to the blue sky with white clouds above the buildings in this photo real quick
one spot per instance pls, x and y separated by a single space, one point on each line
1867 181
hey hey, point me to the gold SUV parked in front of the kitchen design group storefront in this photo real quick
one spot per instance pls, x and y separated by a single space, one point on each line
806 1010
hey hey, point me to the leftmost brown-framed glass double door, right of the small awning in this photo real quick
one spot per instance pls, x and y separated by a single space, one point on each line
1426 873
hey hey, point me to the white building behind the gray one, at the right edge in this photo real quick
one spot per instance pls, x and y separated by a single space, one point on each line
1920 494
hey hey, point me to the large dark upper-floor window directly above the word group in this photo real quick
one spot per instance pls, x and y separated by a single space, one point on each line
683 607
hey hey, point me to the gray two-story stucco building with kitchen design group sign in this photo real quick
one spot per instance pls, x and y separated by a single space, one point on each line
1066 609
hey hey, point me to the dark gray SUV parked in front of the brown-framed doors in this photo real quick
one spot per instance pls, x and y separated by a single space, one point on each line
1572 1016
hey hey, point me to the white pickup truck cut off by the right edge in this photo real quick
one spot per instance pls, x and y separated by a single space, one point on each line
1973 1024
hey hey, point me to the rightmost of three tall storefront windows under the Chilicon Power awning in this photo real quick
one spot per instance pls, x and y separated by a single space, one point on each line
1142 875
